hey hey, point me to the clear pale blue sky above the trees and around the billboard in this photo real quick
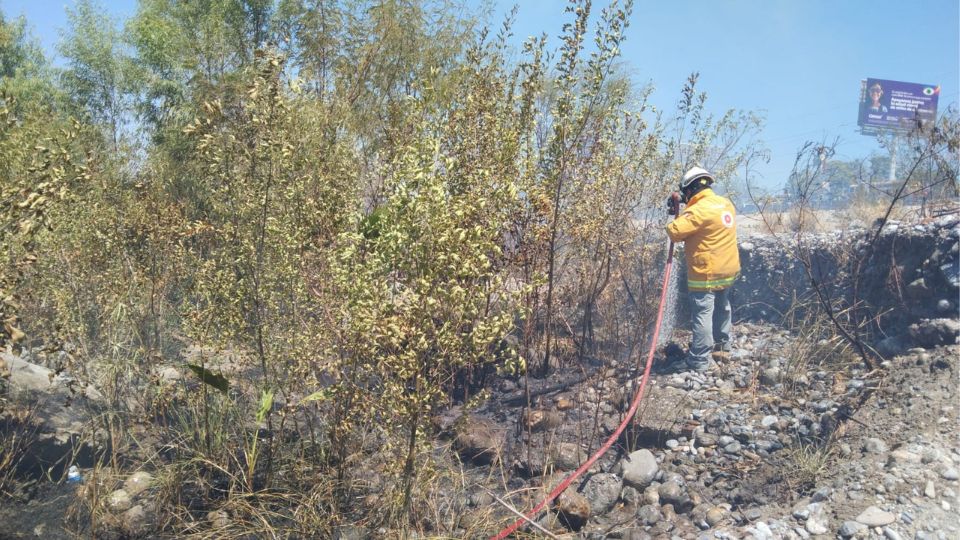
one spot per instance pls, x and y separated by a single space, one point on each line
799 62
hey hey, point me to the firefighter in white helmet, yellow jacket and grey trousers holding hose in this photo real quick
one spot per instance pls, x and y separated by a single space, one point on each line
708 228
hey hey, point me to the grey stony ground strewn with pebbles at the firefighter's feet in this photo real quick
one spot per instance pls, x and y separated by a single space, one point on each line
759 448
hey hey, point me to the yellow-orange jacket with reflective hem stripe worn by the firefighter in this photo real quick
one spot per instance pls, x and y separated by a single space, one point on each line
708 228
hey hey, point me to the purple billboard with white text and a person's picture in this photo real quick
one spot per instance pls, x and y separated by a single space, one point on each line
896 106
